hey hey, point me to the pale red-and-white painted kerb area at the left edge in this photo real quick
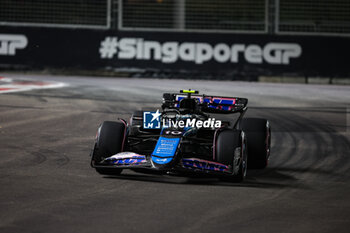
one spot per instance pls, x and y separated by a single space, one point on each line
8 85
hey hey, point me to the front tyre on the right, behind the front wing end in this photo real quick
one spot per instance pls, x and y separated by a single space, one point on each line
231 149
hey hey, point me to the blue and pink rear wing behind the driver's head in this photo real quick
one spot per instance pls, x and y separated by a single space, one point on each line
215 104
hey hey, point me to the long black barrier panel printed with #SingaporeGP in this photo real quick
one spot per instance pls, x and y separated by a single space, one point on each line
188 52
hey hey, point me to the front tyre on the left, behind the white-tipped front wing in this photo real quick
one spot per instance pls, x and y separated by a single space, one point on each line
109 142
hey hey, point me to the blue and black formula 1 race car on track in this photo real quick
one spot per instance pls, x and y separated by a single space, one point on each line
183 138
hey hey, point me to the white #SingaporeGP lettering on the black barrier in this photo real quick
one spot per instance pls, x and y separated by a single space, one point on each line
199 53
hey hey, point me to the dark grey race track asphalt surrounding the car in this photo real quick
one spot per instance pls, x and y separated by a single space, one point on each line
48 186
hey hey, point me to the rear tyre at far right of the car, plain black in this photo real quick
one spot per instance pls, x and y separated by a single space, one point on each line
258 134
